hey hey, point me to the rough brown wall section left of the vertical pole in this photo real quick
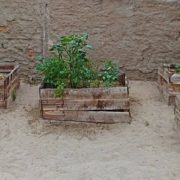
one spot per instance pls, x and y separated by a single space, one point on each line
20 33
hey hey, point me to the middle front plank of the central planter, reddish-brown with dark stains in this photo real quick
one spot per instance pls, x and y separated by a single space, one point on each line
88 104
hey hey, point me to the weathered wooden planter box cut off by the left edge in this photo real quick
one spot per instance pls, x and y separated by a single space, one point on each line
9 82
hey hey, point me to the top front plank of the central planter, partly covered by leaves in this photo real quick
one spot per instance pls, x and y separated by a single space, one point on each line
88 93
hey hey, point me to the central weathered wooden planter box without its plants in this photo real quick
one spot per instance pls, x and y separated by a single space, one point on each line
93 105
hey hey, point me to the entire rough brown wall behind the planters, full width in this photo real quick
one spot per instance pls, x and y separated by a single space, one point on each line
139 34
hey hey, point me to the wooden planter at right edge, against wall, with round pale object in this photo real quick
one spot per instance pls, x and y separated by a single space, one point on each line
168 83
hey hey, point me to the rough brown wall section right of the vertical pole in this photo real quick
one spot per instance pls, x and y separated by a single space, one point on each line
139 34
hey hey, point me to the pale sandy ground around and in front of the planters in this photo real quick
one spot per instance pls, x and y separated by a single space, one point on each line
146 149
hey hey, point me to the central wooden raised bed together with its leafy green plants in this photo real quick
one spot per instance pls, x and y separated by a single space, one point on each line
75 89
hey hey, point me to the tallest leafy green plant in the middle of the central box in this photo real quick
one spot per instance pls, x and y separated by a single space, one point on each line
72 50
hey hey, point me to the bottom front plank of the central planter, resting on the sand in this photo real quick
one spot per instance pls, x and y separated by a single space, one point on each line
88 116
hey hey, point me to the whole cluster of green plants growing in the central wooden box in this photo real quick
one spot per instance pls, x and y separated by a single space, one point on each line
69 67
